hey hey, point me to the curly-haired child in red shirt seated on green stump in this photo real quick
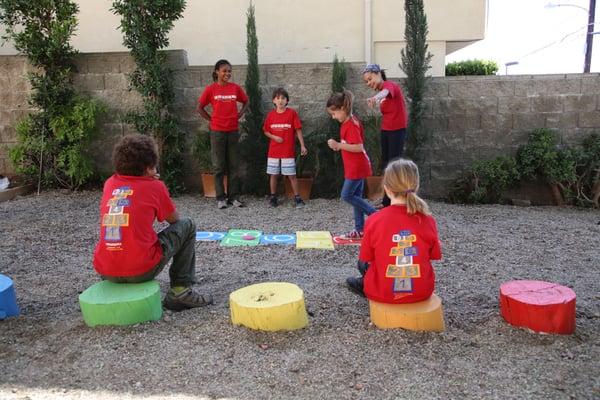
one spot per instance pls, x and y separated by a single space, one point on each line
129 250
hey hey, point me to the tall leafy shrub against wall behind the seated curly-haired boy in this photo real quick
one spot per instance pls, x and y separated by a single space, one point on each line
145 25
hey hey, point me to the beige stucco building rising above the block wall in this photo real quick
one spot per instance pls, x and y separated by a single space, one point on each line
296 31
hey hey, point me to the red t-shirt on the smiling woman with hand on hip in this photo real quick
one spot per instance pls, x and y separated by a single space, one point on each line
223 99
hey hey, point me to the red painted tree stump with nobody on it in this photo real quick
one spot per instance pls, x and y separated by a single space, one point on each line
540 306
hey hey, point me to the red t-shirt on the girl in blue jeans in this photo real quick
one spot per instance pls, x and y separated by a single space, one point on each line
356 165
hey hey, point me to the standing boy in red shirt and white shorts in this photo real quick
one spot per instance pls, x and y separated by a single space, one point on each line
279 126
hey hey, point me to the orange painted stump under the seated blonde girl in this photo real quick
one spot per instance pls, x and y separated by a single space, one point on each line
422 316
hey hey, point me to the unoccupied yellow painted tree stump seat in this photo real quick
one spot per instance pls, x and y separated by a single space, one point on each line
269 306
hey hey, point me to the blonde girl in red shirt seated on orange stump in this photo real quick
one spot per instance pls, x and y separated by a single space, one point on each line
399 243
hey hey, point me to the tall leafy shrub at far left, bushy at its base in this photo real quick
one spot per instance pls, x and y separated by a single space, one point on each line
52 141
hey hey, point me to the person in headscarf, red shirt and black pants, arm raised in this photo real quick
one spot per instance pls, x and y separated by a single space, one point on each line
393 110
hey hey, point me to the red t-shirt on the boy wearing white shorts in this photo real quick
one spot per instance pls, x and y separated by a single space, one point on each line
283 125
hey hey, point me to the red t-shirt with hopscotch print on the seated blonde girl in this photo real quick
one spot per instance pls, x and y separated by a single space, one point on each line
399 247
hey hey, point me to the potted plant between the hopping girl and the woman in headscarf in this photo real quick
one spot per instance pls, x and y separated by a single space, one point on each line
374 187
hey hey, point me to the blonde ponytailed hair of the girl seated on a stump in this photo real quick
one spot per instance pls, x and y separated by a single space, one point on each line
401 177
